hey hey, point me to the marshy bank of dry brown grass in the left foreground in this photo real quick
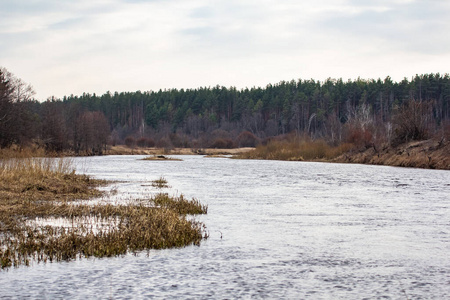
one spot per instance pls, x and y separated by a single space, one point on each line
43 216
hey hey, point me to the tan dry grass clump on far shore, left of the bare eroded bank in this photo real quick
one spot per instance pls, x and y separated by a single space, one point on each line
296 150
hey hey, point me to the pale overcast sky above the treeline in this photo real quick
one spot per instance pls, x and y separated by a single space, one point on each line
64 47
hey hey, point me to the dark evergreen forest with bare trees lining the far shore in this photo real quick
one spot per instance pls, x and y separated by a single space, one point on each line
363 112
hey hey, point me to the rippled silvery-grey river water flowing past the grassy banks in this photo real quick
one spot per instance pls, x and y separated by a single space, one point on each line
279 230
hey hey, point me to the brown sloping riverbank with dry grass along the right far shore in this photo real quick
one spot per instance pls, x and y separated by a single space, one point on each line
428 154
